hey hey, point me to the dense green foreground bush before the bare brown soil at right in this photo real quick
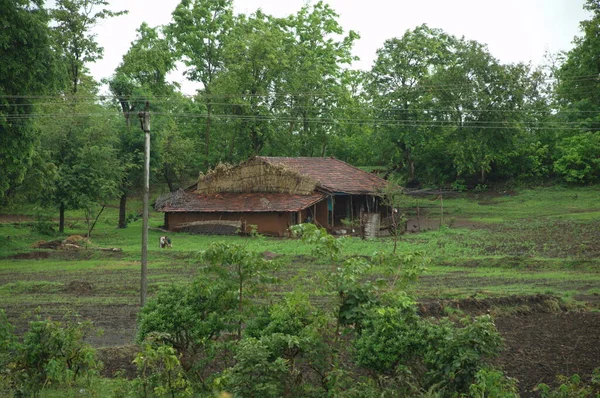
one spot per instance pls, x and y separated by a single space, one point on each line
395 341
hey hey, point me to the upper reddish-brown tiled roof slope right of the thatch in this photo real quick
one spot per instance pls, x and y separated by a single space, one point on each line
333 174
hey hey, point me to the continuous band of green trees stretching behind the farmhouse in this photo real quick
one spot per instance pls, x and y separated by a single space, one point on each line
434 109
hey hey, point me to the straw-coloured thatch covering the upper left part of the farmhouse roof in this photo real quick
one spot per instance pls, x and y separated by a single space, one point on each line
255 175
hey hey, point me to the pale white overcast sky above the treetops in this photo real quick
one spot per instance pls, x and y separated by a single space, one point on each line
514 30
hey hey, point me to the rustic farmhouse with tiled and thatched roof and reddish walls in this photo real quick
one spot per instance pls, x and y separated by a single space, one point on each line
269 194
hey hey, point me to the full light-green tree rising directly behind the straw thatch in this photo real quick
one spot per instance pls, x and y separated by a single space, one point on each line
254 67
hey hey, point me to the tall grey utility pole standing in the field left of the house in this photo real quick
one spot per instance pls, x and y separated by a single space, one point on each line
145 124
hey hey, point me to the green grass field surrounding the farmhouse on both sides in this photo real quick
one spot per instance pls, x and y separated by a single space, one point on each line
544 240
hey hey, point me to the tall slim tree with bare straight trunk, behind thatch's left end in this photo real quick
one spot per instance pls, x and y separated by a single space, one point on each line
198 32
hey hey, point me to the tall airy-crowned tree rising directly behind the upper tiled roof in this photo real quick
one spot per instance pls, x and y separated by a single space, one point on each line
317 55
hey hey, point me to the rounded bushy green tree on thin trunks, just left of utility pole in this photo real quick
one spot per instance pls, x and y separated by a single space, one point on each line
78 143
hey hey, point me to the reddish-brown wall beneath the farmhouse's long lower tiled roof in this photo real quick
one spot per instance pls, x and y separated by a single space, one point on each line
267 223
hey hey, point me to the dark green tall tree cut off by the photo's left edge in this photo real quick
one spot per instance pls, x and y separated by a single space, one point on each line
28 70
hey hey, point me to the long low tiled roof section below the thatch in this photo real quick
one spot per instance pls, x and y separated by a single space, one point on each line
237 202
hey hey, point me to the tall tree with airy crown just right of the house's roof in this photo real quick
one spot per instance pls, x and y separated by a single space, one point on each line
401 80
